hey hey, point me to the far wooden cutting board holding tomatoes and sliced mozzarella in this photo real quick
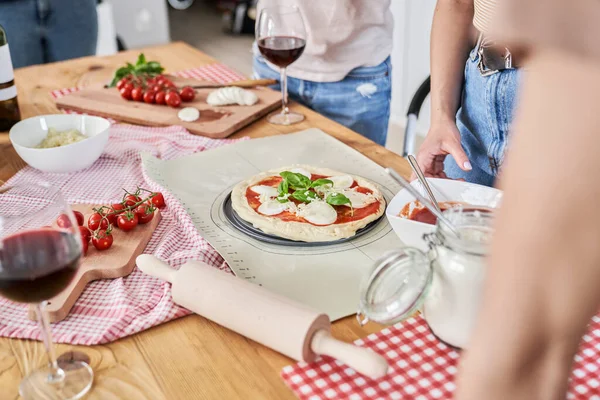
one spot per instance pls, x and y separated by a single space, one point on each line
214 122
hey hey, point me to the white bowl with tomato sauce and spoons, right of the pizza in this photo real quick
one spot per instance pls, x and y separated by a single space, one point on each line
411 220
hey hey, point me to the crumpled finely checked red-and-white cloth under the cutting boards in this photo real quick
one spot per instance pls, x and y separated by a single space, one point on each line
113 308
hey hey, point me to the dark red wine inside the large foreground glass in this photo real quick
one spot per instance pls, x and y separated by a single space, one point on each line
37 265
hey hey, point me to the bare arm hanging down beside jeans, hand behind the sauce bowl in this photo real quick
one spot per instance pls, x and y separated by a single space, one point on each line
451 40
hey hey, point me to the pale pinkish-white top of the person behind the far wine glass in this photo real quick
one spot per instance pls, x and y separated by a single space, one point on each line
341 35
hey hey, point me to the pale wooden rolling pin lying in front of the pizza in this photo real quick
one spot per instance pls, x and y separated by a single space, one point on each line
265 317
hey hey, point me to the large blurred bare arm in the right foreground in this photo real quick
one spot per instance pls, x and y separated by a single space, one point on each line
543 281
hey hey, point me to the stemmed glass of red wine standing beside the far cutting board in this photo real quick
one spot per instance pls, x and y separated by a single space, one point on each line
281 39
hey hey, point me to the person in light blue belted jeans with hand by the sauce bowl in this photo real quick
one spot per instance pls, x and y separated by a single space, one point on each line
471 105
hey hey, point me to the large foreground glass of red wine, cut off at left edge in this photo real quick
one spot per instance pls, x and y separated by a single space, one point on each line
38 259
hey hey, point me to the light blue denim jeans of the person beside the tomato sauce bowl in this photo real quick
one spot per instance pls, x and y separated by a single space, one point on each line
484 120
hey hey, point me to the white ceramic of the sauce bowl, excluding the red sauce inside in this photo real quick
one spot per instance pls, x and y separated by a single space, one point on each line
411 232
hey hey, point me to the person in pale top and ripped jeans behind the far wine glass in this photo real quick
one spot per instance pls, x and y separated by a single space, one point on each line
345 70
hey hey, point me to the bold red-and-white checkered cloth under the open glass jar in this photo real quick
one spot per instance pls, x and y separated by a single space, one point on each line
422 368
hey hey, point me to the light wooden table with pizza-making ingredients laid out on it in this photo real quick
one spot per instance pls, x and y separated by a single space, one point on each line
189 358
